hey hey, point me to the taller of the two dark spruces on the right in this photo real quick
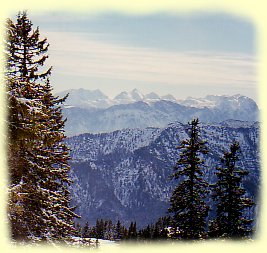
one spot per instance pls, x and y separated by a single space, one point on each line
187 203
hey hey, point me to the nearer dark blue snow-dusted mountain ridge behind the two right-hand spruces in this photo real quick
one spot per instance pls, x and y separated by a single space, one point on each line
125 174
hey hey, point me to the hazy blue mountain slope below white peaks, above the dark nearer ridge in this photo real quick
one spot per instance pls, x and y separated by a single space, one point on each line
156 113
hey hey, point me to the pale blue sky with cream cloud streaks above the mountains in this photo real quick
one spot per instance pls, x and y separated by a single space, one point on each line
185 55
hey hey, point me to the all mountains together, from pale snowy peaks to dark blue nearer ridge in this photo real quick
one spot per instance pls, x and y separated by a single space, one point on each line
123 149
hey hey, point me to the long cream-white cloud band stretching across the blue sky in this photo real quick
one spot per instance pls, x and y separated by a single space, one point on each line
79 54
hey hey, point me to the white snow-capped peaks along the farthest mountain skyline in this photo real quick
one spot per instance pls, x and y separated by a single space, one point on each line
97 99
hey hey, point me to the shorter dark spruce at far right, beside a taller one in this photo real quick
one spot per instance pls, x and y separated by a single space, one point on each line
230 198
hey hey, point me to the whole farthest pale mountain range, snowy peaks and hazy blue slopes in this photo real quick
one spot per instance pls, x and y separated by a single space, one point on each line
93 112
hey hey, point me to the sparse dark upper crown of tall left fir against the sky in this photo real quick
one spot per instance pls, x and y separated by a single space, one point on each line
25 52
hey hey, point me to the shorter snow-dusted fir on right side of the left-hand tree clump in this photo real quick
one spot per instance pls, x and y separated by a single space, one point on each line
54 156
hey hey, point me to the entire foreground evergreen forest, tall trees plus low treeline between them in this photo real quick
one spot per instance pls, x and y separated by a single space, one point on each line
39 207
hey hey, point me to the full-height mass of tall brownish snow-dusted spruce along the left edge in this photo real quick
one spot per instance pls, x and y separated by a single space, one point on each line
37 157
